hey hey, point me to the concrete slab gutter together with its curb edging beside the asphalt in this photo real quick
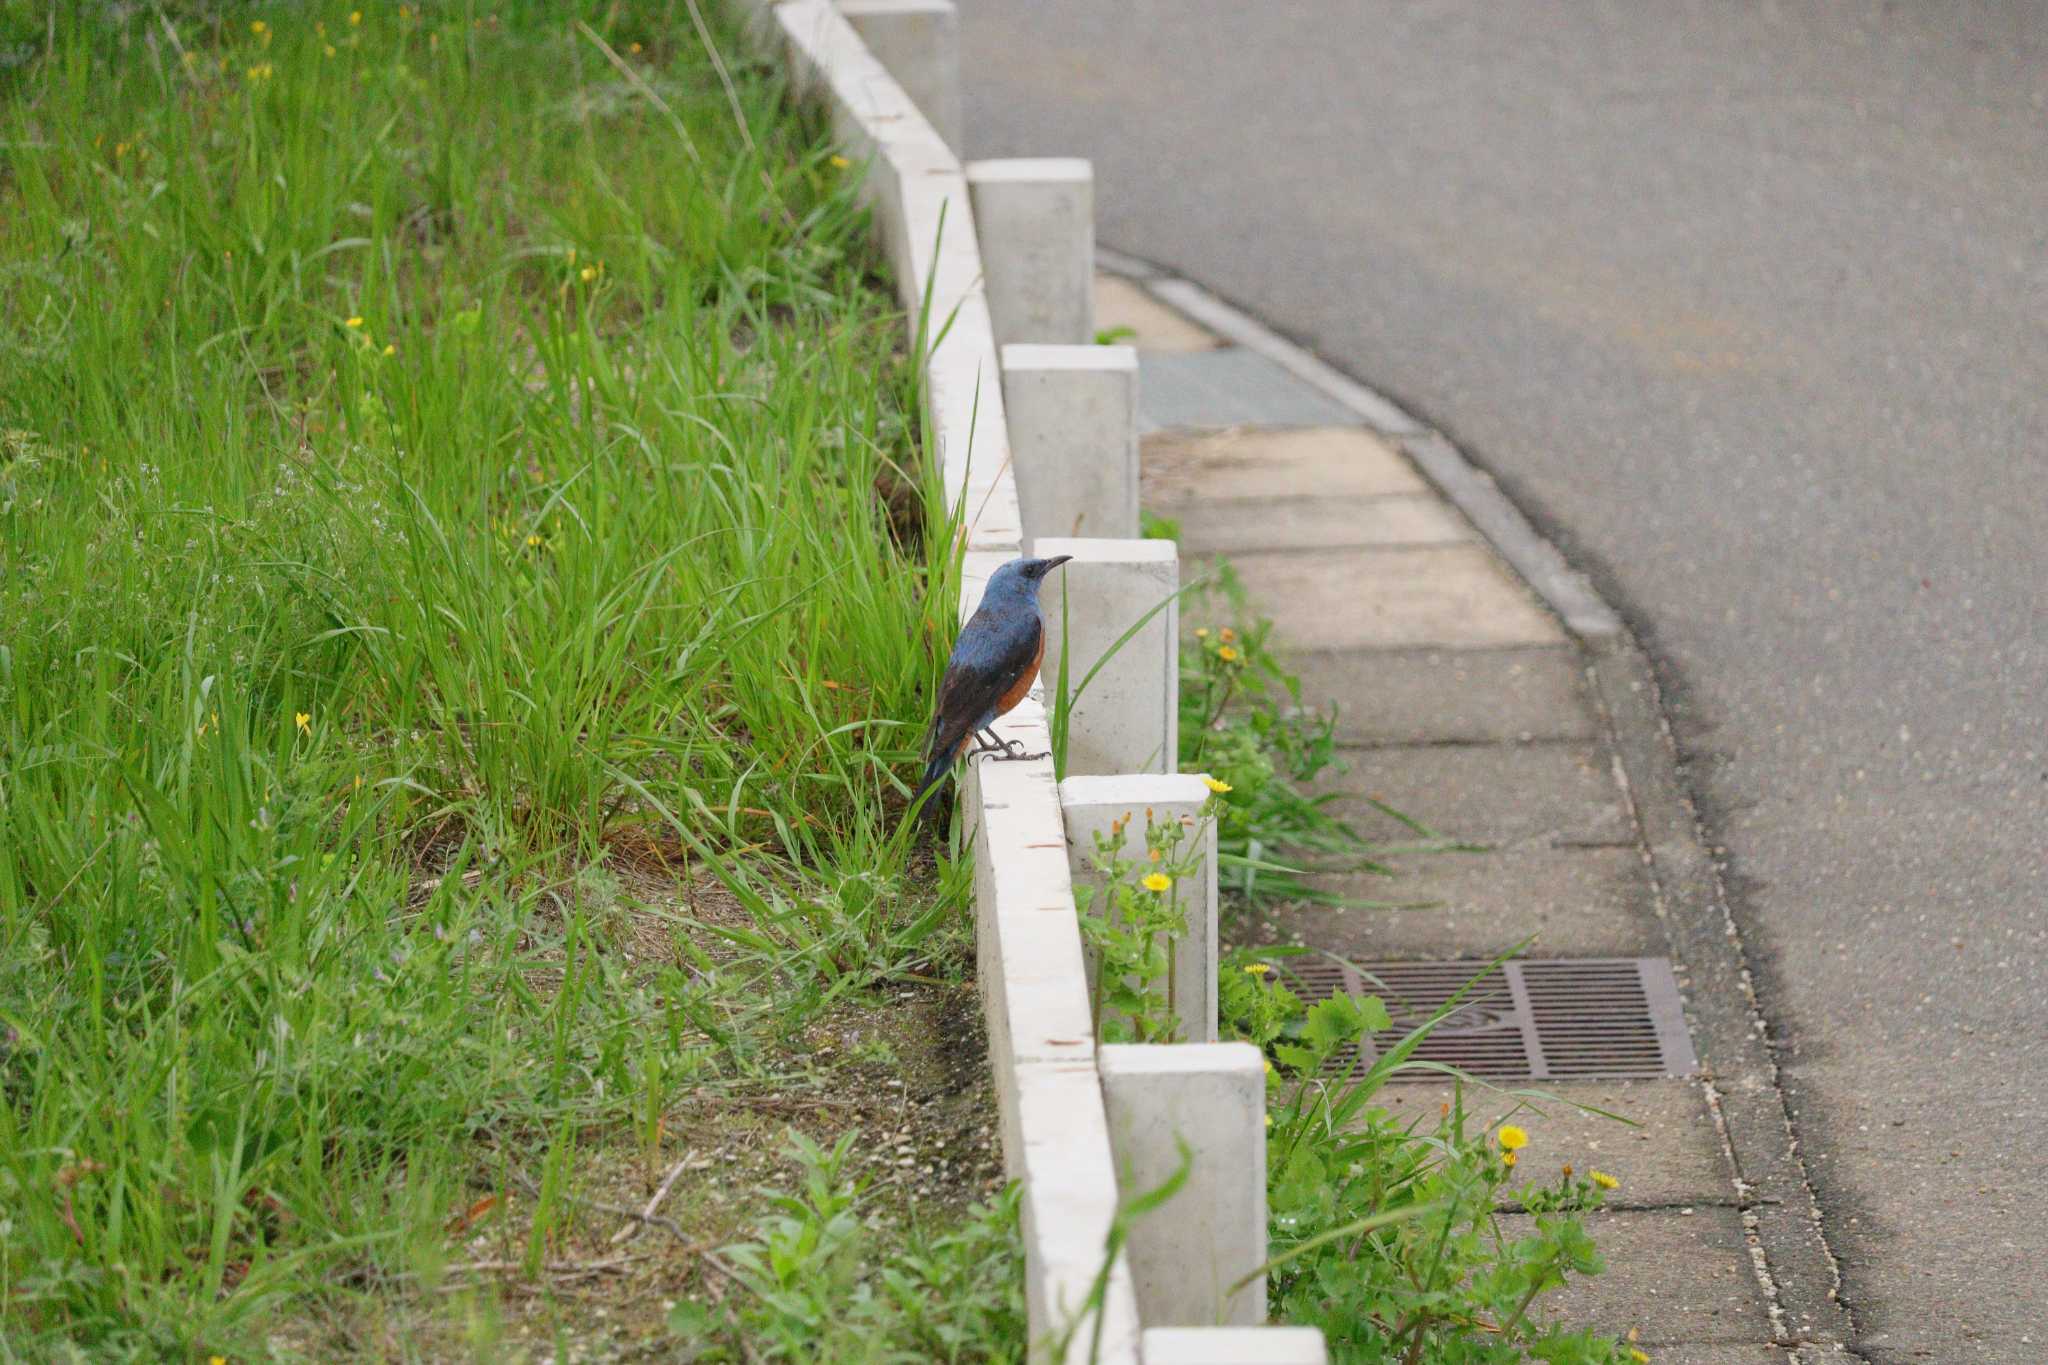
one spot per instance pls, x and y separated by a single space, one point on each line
1535 730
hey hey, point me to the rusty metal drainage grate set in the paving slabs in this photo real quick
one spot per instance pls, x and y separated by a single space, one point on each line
1545 1020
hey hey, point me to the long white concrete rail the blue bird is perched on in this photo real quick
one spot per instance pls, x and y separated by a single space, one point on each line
1029 944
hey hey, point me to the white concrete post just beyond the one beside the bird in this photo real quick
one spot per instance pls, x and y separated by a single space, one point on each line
1074 437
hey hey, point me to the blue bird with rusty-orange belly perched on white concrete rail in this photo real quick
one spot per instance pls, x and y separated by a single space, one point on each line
990 670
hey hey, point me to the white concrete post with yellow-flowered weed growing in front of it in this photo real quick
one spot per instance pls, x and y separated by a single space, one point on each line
1091 807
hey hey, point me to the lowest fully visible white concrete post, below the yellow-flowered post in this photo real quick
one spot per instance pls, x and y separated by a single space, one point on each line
1187 1253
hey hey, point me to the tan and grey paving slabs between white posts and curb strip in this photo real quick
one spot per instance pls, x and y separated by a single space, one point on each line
1471 709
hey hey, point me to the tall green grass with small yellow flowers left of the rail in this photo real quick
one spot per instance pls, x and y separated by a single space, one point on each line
441 474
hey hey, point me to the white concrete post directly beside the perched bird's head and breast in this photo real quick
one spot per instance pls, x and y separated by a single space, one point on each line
1127 721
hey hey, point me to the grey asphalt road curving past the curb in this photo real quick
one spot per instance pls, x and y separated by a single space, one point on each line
1748 306
